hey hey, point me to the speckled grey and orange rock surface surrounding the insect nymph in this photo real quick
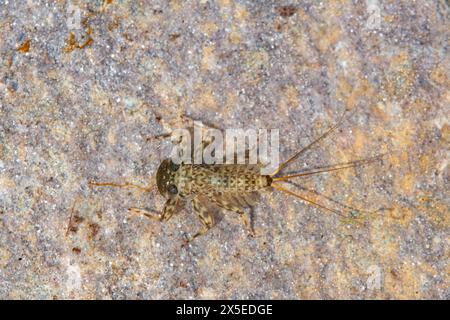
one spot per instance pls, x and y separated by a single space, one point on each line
84 84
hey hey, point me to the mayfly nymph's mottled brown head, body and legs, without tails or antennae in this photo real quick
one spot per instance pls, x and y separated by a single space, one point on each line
231 187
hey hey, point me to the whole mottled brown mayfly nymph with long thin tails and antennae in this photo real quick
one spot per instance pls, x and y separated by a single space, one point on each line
232 187
